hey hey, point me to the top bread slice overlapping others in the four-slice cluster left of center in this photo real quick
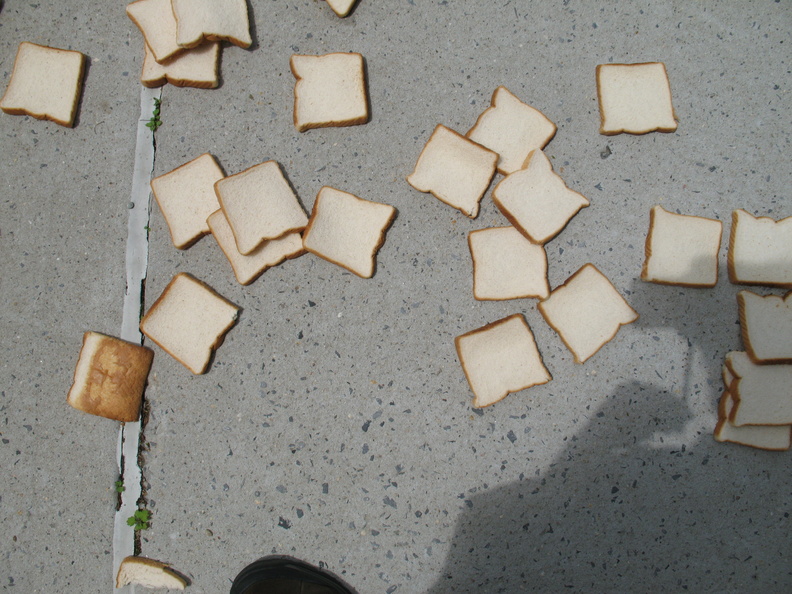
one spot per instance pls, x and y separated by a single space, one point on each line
260 205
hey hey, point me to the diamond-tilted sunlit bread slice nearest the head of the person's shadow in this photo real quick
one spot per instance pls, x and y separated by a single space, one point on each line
586 311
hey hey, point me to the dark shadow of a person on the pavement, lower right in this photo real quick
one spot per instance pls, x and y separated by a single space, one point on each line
616 512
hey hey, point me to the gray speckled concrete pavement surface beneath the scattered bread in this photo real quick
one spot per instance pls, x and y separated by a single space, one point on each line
335 422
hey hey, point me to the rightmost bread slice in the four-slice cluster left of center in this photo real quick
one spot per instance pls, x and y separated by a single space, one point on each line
347 230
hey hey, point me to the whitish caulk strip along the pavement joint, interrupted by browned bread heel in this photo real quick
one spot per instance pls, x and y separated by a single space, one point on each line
136 263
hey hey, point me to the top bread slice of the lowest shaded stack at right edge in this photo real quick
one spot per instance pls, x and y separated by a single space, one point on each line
762 393
